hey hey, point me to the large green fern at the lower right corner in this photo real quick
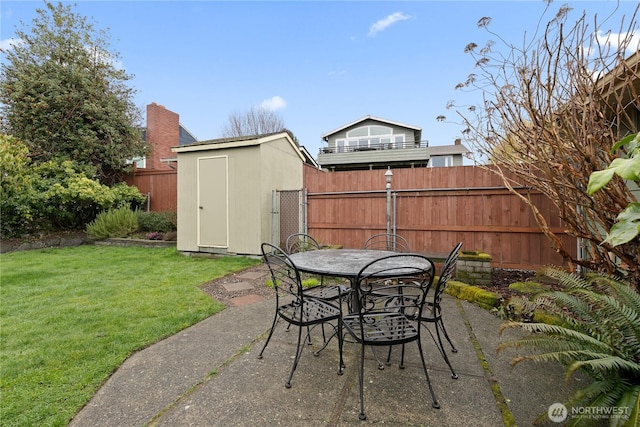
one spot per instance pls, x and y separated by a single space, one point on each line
599 334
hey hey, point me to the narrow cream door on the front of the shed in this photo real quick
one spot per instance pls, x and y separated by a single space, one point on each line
213 202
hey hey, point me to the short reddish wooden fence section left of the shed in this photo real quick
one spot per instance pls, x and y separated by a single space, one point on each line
159 185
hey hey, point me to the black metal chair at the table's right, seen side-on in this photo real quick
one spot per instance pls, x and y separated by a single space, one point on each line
432 312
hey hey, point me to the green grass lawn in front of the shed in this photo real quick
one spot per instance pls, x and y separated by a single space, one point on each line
69 317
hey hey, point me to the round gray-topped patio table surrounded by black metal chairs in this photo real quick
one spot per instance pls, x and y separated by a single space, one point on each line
347 263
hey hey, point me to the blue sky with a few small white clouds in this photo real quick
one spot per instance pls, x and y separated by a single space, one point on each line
319 65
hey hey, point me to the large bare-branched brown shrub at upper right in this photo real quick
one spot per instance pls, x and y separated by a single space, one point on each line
552 111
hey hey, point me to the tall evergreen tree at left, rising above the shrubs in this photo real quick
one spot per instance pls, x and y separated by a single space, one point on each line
63 96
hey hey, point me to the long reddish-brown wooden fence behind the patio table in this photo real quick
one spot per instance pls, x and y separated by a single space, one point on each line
434 208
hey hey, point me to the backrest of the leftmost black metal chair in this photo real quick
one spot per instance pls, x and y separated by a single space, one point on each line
284 274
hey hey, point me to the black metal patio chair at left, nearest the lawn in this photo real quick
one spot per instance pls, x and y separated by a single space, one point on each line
298 309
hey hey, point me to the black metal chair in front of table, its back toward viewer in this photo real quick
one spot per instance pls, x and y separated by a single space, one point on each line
379 324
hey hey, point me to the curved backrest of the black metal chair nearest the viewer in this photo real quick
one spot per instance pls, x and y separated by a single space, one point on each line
399 282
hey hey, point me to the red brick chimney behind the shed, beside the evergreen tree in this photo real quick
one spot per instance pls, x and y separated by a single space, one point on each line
163 132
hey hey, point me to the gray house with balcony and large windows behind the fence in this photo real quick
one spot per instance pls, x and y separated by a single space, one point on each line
375 143
